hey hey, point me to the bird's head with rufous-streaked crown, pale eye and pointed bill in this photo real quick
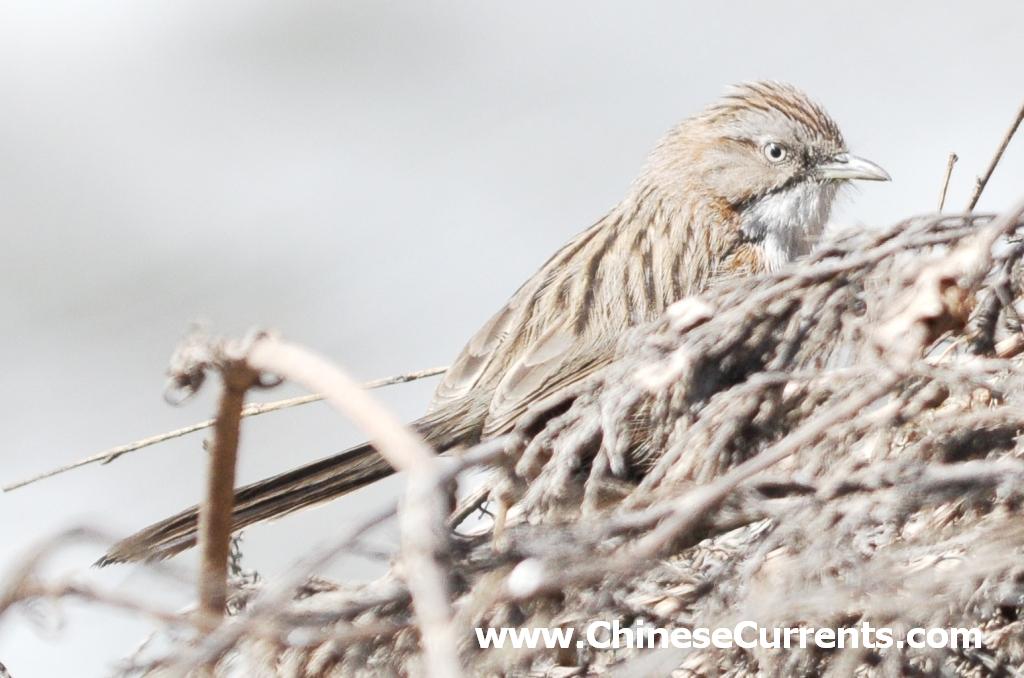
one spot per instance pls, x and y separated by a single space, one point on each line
769 154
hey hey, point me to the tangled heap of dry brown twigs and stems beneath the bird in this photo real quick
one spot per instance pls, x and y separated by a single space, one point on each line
833 445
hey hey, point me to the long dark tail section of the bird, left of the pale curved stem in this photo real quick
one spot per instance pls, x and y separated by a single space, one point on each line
267 499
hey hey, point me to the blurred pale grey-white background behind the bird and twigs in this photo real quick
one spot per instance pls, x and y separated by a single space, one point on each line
372 179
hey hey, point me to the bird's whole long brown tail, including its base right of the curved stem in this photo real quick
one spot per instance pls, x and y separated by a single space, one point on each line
305 487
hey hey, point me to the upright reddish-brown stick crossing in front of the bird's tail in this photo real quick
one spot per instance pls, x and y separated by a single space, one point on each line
216 514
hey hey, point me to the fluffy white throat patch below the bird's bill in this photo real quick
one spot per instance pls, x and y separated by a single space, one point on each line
790 223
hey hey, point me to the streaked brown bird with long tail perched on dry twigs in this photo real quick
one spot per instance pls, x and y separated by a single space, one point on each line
743 188
